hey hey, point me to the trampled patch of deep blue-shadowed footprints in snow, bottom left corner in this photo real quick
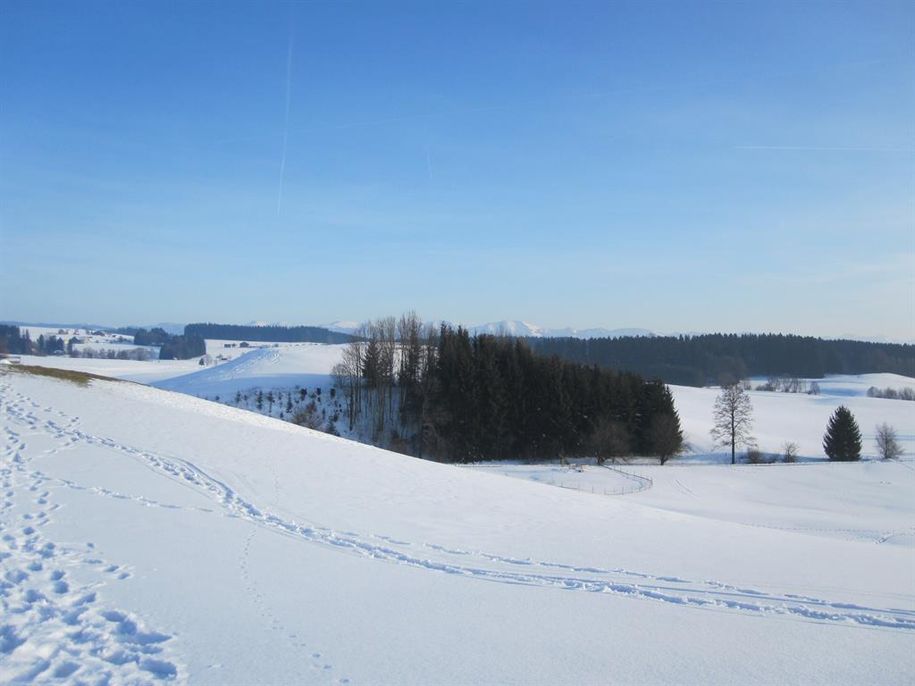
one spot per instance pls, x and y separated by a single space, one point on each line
52 627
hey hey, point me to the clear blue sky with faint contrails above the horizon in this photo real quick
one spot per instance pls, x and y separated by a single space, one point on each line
678 166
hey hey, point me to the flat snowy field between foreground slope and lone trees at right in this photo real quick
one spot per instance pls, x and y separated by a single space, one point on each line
867 501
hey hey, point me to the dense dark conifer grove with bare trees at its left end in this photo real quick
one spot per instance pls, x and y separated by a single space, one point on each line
444 394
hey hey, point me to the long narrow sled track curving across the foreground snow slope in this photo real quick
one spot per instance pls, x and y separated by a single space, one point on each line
708 594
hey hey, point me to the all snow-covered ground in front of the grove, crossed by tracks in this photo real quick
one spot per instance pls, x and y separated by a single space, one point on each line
150 536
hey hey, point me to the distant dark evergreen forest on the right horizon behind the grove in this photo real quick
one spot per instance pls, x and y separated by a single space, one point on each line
723 358
